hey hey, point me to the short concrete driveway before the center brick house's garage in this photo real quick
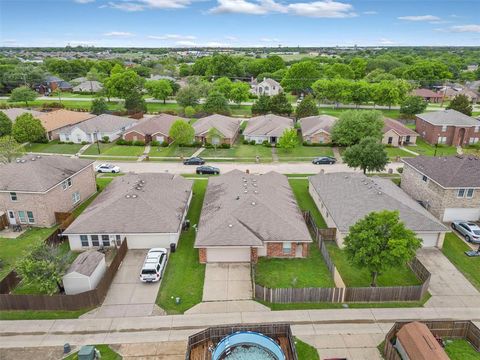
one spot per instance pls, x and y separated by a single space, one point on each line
227 282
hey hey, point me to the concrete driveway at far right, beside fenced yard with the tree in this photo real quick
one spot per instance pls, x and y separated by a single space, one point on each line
448 286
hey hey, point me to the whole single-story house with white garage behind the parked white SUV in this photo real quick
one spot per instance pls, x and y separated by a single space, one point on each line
147 209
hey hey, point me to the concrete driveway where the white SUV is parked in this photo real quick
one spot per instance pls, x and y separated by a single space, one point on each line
127 295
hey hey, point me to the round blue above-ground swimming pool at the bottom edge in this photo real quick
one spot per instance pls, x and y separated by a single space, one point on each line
245 345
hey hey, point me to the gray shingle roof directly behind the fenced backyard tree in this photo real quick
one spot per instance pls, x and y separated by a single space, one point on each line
349 197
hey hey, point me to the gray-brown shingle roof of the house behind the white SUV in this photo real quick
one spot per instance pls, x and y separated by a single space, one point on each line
125 207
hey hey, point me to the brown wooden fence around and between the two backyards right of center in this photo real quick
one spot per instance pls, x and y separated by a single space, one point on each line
342 293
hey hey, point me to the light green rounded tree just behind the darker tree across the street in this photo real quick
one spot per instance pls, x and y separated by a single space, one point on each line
354 125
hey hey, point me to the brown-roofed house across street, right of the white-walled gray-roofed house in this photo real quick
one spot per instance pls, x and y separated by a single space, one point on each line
152 128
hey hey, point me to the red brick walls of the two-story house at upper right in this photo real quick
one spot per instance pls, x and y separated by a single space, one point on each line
455 135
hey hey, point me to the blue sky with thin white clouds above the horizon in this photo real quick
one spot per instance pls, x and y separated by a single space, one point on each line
237 23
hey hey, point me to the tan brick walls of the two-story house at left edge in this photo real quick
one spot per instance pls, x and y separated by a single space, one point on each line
44 205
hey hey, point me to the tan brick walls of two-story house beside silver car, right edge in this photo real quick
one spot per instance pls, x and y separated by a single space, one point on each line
437 197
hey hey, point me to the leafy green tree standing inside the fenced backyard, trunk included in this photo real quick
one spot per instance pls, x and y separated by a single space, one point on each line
379 242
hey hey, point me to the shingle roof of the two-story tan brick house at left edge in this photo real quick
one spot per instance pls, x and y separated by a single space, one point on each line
40 174
